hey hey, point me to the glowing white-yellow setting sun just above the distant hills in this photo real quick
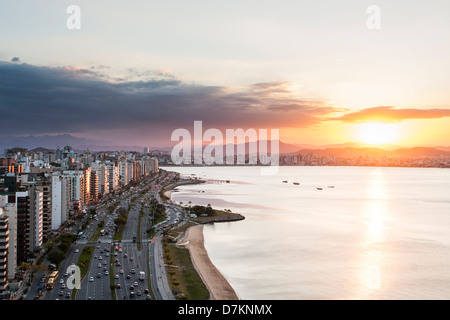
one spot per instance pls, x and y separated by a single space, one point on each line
377 132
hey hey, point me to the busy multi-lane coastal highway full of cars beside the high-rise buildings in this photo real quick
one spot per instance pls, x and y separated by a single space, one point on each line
137 270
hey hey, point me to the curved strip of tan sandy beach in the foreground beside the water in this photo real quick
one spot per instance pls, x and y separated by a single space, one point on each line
216 283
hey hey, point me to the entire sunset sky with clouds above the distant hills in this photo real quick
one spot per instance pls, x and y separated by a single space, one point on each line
316 70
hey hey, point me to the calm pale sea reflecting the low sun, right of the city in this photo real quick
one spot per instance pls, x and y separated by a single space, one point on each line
380 233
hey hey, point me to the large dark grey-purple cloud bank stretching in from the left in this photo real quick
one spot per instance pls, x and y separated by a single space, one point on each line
50 100
